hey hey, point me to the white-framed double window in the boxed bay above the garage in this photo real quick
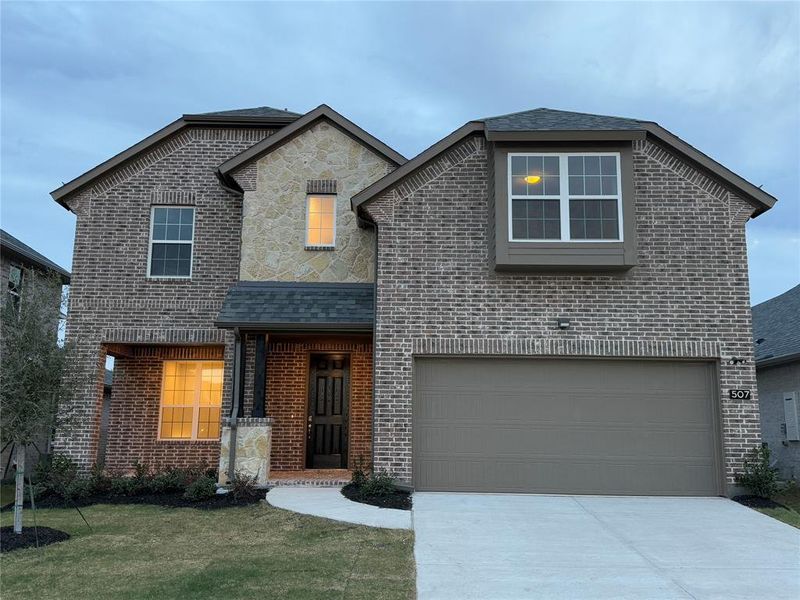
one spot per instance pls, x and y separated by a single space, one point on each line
569 197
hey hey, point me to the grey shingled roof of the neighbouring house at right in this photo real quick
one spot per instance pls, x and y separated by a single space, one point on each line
777 323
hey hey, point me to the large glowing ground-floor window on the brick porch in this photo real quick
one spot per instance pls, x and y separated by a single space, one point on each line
191 400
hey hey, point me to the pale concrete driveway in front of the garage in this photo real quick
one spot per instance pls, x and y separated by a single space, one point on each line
503 546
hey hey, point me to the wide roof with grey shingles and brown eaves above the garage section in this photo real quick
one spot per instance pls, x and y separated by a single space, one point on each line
545 124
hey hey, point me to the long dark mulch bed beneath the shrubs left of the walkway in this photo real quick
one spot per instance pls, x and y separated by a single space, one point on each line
174 500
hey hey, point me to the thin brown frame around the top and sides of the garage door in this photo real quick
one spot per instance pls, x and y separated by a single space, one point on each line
719 448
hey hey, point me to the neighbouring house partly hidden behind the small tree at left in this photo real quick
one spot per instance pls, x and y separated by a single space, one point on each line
17 262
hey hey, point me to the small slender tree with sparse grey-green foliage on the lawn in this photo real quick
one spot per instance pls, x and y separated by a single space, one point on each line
33 390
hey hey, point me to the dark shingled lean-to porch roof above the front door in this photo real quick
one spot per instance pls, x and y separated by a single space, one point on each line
296 306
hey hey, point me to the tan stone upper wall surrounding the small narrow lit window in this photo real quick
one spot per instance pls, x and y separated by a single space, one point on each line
273 230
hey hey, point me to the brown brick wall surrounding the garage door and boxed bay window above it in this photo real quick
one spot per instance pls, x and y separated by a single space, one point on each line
688 297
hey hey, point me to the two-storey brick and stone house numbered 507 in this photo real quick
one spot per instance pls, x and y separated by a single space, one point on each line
545 301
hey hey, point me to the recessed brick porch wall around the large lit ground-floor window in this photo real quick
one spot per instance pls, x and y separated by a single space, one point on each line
135 404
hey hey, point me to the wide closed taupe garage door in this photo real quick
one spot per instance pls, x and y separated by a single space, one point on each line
565 426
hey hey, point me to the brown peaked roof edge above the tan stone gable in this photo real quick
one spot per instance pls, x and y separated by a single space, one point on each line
323 111
